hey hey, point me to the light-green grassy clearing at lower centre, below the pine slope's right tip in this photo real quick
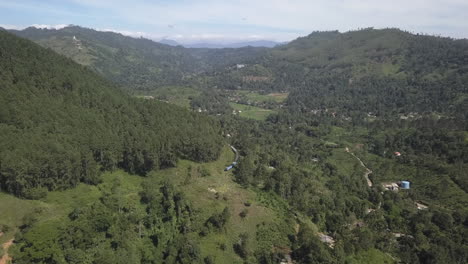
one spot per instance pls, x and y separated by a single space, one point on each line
211 194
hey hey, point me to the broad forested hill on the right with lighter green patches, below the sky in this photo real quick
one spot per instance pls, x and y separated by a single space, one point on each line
380 71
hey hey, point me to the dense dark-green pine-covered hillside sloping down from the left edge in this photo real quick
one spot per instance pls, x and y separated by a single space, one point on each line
62 124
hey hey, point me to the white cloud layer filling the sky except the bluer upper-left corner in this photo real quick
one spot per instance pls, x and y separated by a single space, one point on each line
290 16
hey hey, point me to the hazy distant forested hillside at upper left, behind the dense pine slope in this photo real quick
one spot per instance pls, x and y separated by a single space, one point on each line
135 63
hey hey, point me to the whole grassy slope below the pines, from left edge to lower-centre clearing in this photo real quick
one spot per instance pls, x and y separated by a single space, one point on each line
266 215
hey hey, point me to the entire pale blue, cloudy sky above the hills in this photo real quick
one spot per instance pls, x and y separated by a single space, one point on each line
191 21
